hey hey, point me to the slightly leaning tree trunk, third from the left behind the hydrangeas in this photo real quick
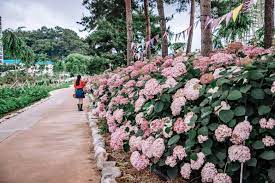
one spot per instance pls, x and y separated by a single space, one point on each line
162 28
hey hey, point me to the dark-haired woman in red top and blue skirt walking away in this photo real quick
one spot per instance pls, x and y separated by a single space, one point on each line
79 92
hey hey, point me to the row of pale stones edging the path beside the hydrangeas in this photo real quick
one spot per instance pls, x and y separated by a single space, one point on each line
109 171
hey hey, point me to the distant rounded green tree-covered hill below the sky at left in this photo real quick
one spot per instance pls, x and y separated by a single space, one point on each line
52 43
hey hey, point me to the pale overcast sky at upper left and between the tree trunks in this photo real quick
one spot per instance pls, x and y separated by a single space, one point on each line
34 14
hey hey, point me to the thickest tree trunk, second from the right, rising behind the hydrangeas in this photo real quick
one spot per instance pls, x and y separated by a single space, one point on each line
206 34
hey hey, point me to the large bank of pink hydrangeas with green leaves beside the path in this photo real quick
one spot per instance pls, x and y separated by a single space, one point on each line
209 118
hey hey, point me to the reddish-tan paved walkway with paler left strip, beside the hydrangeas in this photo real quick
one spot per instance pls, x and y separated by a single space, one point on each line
49 143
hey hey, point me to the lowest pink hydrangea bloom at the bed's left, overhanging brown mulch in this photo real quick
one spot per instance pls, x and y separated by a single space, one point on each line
139 162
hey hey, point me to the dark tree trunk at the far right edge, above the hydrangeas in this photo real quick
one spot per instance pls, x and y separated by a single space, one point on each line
269 23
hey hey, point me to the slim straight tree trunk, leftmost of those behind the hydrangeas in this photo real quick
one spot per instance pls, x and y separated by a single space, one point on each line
129 21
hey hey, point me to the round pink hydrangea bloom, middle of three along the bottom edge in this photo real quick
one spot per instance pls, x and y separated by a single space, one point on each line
208 172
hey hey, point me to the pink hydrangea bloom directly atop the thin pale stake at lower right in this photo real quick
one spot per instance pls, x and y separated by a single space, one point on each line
239 153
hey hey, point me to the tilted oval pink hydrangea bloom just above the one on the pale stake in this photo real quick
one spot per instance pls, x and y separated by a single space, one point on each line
241 132
